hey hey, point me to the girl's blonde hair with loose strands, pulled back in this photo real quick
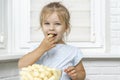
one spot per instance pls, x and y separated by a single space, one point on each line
61 11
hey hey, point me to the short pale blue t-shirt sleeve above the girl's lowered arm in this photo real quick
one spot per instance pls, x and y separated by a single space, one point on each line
78 57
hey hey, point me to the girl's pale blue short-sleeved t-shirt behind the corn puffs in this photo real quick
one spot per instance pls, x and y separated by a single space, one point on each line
61 57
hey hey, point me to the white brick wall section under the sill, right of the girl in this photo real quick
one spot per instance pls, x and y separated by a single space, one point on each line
102 69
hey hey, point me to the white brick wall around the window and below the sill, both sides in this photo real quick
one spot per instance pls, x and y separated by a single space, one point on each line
96 68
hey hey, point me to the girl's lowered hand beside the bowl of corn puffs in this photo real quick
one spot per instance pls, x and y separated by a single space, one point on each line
71 71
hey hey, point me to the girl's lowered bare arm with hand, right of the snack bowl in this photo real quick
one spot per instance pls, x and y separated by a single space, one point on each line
77 72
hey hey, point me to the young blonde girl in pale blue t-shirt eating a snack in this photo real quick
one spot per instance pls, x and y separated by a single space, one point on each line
53 52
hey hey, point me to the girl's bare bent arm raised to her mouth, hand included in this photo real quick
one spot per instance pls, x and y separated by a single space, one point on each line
33 56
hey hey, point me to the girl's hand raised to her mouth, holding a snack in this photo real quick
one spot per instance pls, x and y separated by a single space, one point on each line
47 43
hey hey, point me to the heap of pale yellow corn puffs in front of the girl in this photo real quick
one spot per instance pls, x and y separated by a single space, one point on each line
39 72
